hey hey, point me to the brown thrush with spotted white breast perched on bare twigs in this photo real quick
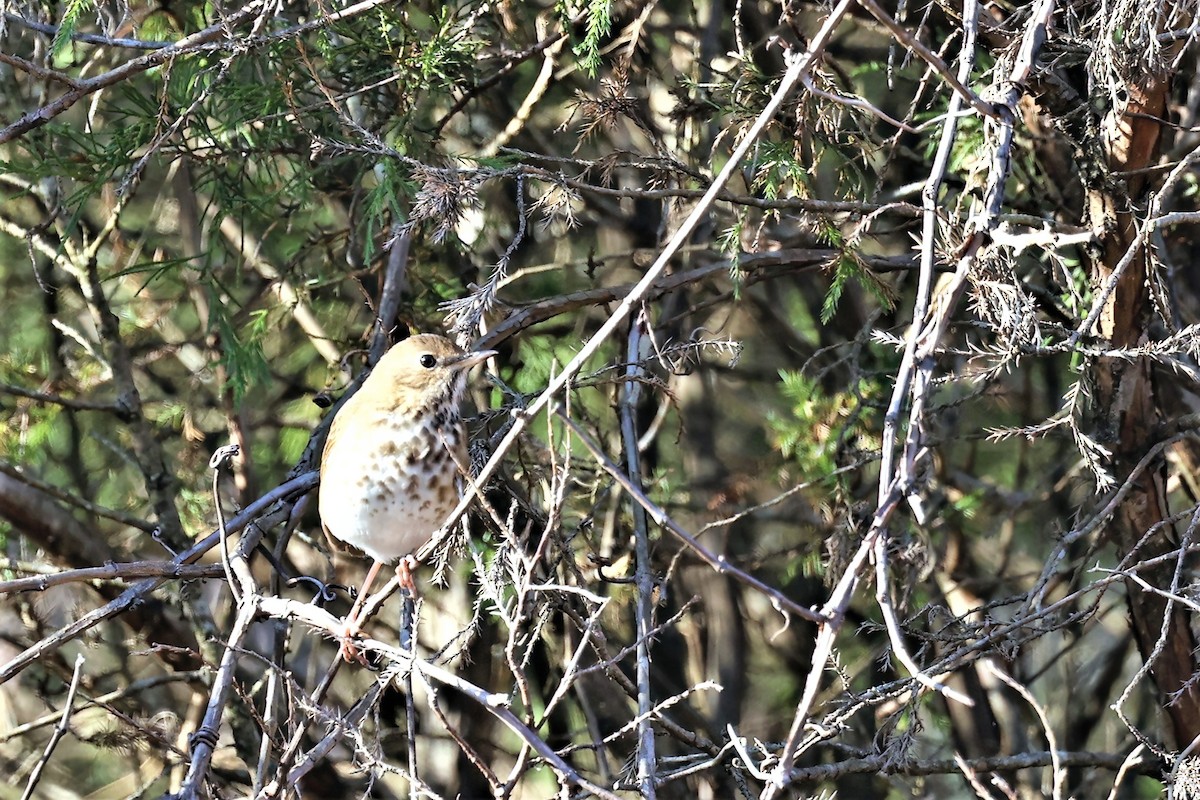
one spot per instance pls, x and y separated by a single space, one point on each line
394 459
